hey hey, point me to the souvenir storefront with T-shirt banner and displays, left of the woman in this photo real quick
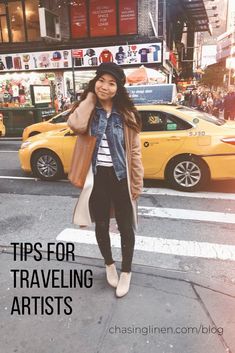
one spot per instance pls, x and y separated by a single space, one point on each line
19 71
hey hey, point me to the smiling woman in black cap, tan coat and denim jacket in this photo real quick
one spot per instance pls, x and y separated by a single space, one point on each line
115 178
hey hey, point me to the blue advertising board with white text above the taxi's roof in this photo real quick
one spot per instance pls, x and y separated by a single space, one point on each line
152 94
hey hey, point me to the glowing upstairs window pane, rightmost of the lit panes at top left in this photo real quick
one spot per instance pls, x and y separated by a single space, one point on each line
32 20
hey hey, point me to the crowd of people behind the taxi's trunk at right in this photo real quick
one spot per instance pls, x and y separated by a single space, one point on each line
219 103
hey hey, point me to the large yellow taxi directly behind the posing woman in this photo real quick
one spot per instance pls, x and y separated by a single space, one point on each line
186 147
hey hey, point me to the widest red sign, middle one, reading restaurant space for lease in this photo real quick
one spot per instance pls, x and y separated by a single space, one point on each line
103 18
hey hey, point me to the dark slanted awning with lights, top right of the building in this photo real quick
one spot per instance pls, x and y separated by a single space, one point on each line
196 12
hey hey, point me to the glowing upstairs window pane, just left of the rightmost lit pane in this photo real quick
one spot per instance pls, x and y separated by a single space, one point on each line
16 21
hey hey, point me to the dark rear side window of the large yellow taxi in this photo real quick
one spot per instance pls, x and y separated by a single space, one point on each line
160 121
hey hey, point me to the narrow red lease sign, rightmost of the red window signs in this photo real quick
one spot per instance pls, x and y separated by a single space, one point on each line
127 17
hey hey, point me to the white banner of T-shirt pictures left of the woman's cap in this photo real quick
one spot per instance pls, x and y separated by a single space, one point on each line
58 59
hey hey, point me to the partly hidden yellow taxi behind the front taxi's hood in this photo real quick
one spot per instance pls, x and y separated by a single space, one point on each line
57 122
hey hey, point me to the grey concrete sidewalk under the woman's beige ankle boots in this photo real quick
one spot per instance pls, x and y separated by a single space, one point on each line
101 323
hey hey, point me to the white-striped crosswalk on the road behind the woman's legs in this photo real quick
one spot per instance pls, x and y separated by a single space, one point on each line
155 243
